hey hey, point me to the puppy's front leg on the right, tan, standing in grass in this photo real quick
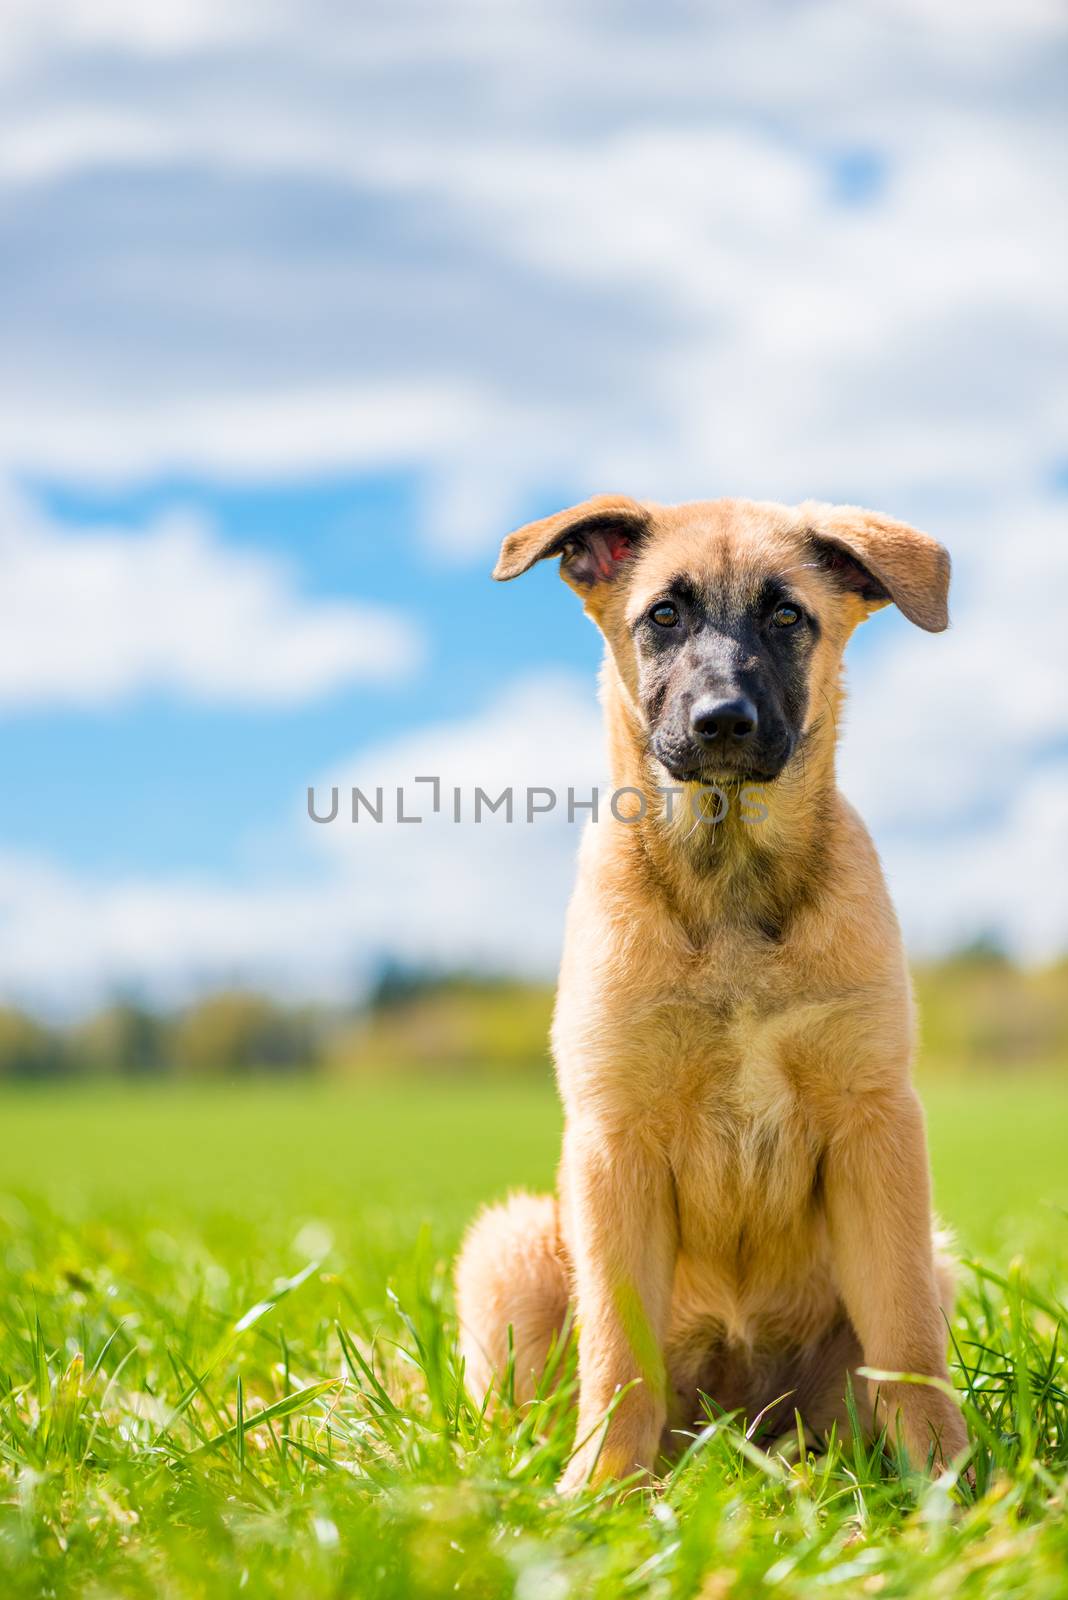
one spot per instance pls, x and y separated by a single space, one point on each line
879 1207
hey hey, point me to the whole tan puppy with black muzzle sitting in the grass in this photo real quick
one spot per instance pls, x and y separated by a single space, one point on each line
744 1199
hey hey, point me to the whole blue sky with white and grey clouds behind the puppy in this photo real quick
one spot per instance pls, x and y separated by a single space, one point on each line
305 308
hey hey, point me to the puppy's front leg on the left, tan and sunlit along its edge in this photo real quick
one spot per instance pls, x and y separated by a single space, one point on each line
623 1239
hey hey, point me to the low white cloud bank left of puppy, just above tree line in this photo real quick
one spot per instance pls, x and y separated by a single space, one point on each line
490 895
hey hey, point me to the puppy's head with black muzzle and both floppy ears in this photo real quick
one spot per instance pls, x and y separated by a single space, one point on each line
728 620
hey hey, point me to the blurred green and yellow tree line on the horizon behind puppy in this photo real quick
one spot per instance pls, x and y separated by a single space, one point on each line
976 1009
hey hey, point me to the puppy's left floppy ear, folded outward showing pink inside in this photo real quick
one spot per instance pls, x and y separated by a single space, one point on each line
596 540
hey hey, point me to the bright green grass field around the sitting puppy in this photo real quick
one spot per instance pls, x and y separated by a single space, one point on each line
226 1366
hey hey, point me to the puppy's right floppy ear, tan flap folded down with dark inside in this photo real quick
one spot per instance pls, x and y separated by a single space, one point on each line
883 561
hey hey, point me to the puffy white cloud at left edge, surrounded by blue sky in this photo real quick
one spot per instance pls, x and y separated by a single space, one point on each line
94 618
